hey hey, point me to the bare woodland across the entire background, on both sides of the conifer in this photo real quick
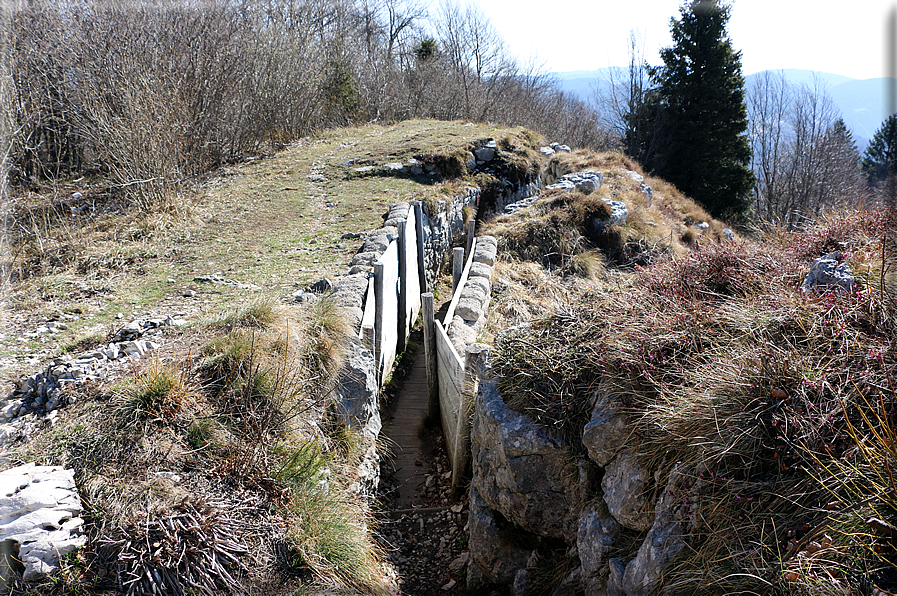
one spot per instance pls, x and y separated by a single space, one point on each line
151 94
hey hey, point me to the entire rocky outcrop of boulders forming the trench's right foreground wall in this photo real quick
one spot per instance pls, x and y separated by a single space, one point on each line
522 474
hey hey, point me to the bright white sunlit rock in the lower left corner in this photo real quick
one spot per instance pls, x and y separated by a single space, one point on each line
40 510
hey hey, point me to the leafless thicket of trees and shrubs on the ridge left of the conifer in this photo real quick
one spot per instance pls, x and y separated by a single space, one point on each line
155 92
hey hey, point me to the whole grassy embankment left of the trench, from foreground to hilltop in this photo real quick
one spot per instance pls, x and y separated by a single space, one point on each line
213 462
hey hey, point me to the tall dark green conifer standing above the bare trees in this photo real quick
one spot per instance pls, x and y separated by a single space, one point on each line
706 153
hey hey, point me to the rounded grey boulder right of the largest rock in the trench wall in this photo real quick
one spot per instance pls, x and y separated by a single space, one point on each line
624 484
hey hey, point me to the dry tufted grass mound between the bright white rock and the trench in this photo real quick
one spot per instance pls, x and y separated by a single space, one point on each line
220 471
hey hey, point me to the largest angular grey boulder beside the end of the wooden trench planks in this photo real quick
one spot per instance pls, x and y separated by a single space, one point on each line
520 468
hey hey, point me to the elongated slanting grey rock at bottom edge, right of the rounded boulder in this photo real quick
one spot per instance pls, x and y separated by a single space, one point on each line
665 541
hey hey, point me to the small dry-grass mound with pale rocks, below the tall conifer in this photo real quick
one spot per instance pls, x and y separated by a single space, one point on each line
557 232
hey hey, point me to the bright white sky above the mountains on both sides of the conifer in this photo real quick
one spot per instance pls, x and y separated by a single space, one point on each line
845 38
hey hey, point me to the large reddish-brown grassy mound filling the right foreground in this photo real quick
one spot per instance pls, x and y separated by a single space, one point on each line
783 401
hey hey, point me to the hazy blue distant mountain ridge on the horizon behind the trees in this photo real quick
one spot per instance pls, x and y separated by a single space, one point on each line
861 102
